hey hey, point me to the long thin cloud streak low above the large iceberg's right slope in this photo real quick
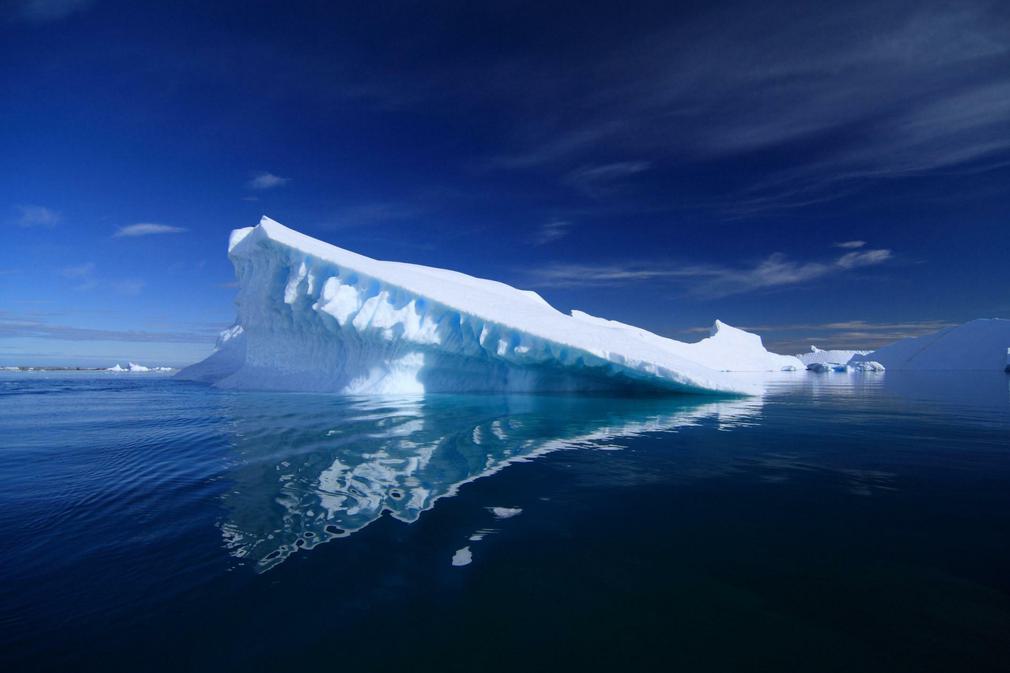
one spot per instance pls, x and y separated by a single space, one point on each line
710 281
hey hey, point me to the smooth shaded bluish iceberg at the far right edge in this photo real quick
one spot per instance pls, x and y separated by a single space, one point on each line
979 345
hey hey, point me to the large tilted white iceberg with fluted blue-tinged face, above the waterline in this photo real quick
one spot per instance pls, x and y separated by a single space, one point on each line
314 317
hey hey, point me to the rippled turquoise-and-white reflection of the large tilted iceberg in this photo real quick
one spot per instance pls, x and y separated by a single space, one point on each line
312 468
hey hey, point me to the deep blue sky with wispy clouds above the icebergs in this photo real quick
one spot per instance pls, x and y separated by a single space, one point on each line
836 175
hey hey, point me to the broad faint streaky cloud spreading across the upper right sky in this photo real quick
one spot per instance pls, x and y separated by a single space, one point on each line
882 92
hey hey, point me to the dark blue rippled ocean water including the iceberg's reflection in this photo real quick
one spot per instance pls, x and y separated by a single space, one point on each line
839 523
